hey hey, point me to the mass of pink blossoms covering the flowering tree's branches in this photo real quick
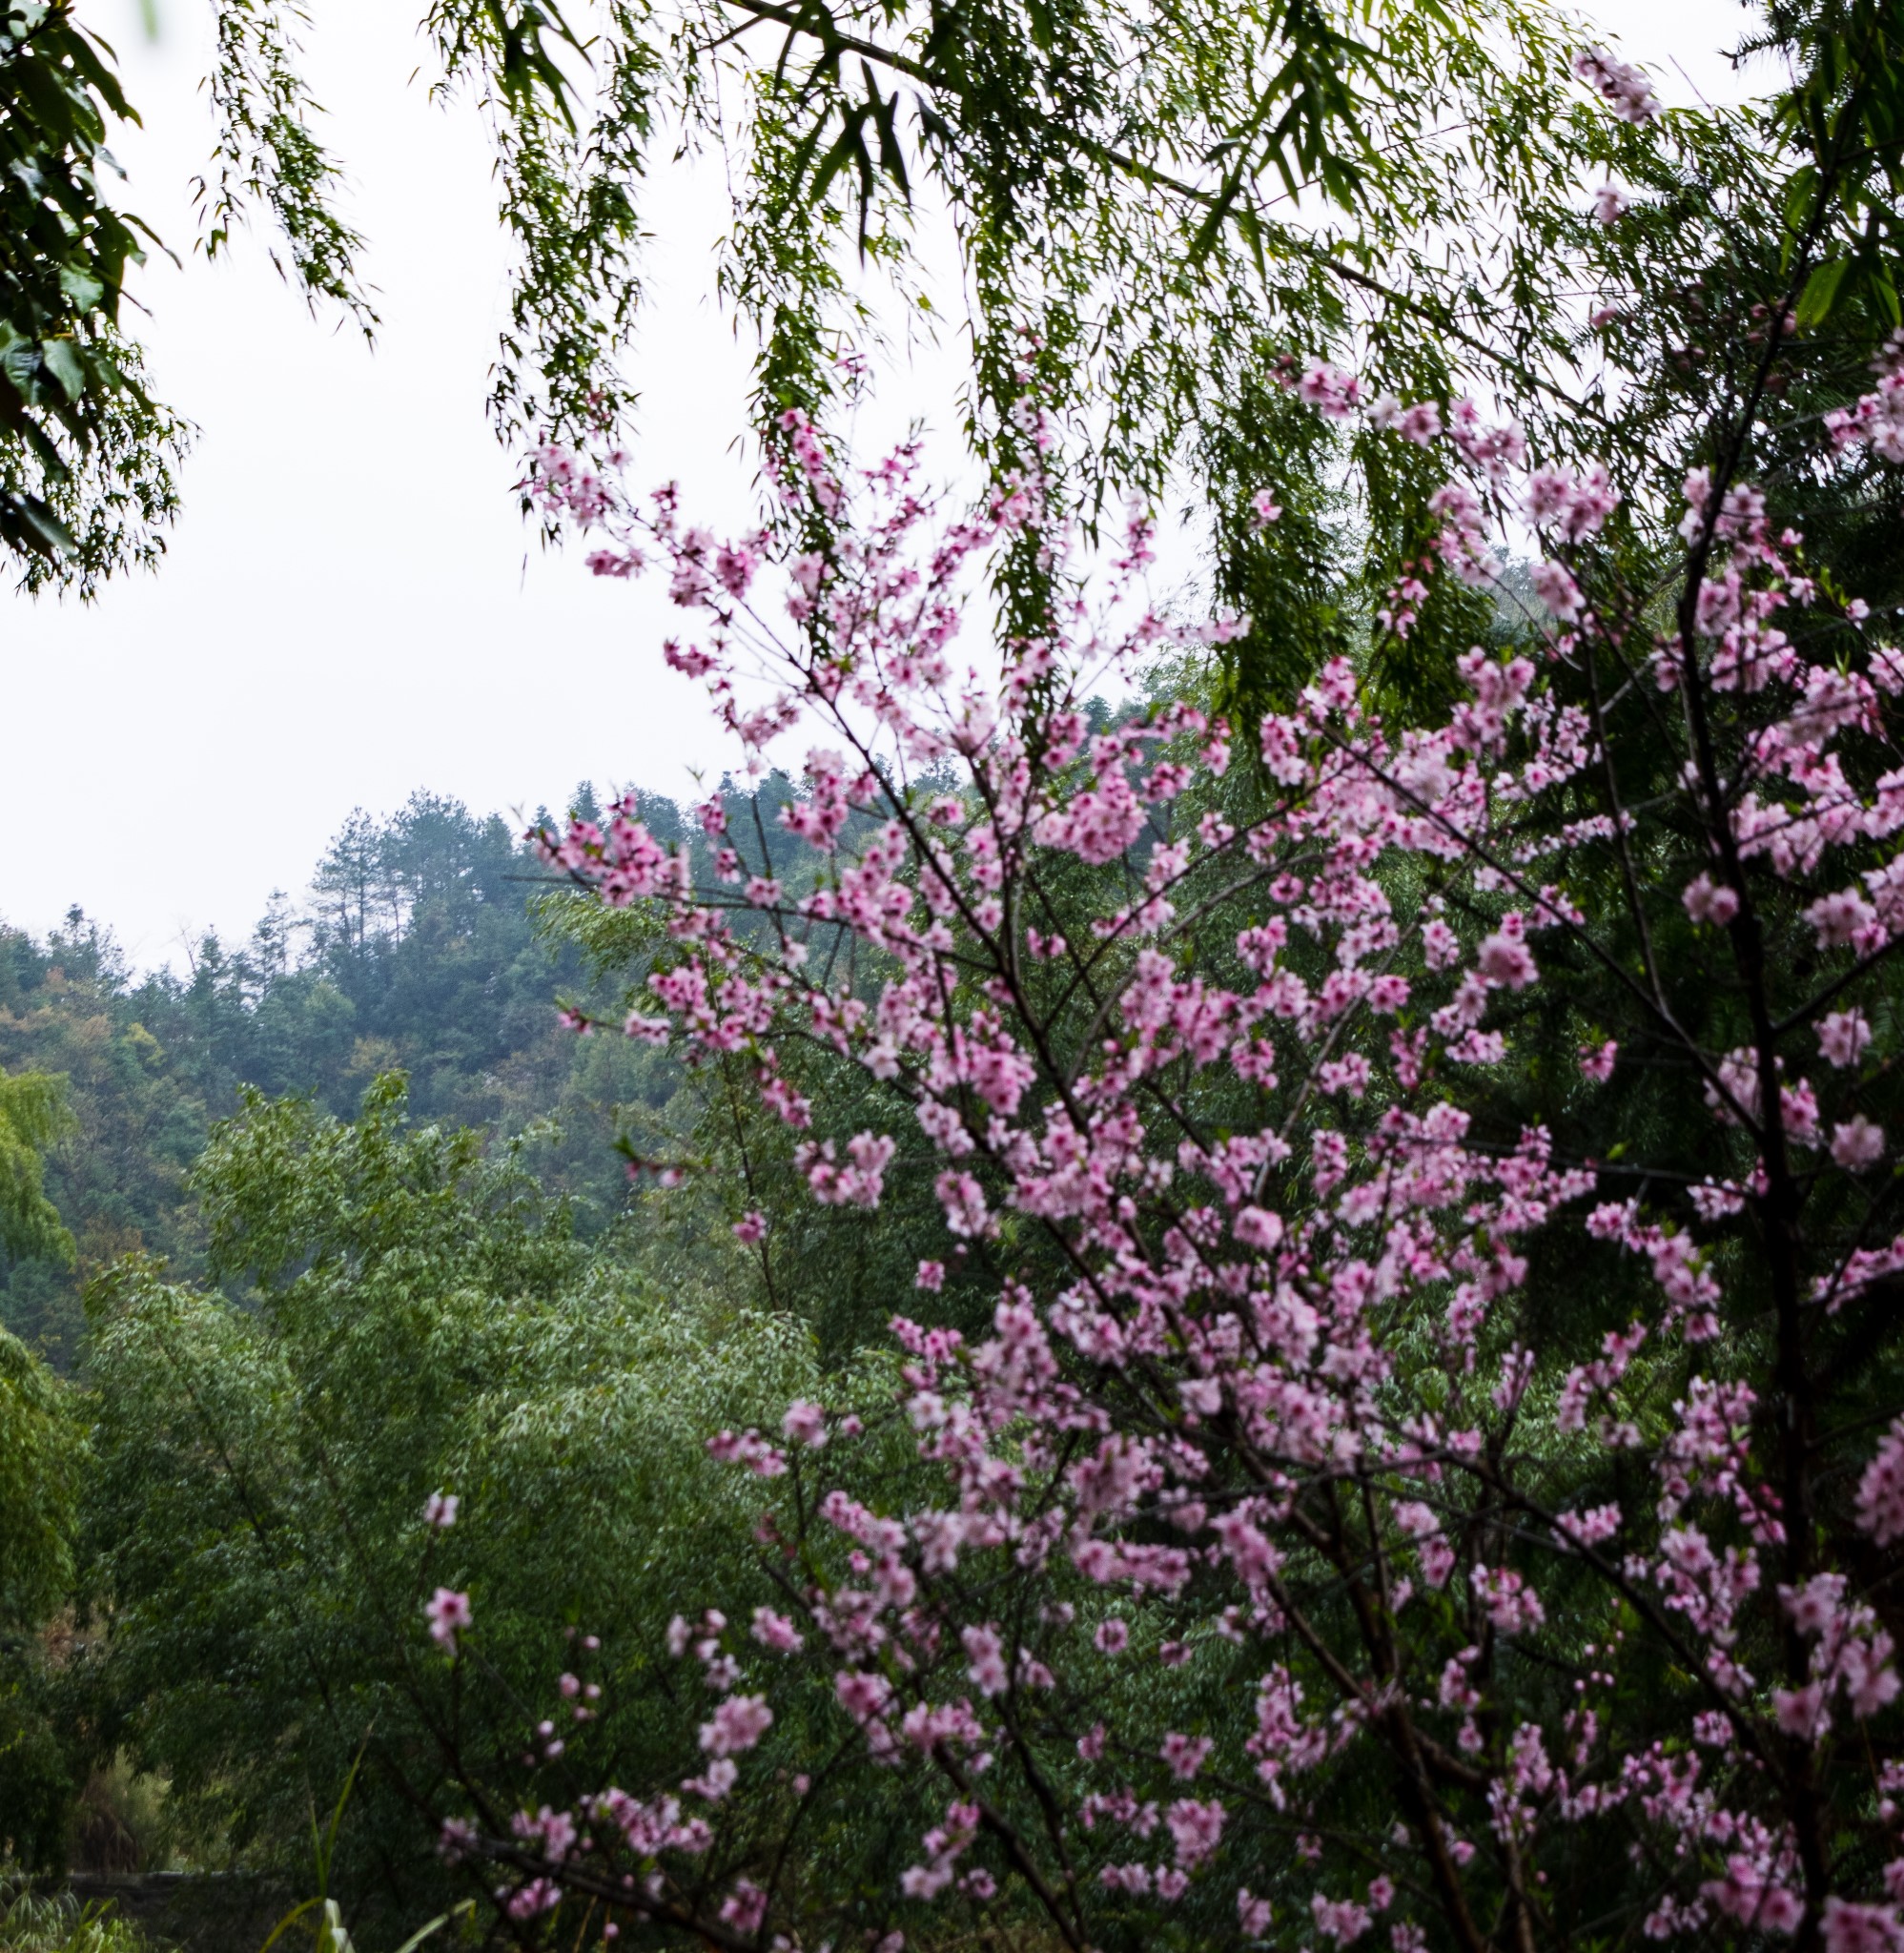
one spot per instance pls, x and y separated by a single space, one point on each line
1278 1196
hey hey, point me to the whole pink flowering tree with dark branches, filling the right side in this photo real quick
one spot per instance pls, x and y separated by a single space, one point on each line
1405 1483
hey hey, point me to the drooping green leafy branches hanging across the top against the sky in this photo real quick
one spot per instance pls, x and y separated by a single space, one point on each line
1149 208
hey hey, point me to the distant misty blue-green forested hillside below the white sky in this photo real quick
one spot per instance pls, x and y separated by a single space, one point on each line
417 948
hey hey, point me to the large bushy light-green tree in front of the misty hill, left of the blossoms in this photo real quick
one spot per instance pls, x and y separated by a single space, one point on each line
409 1319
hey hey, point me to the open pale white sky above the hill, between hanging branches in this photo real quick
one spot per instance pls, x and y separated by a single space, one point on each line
352 606
